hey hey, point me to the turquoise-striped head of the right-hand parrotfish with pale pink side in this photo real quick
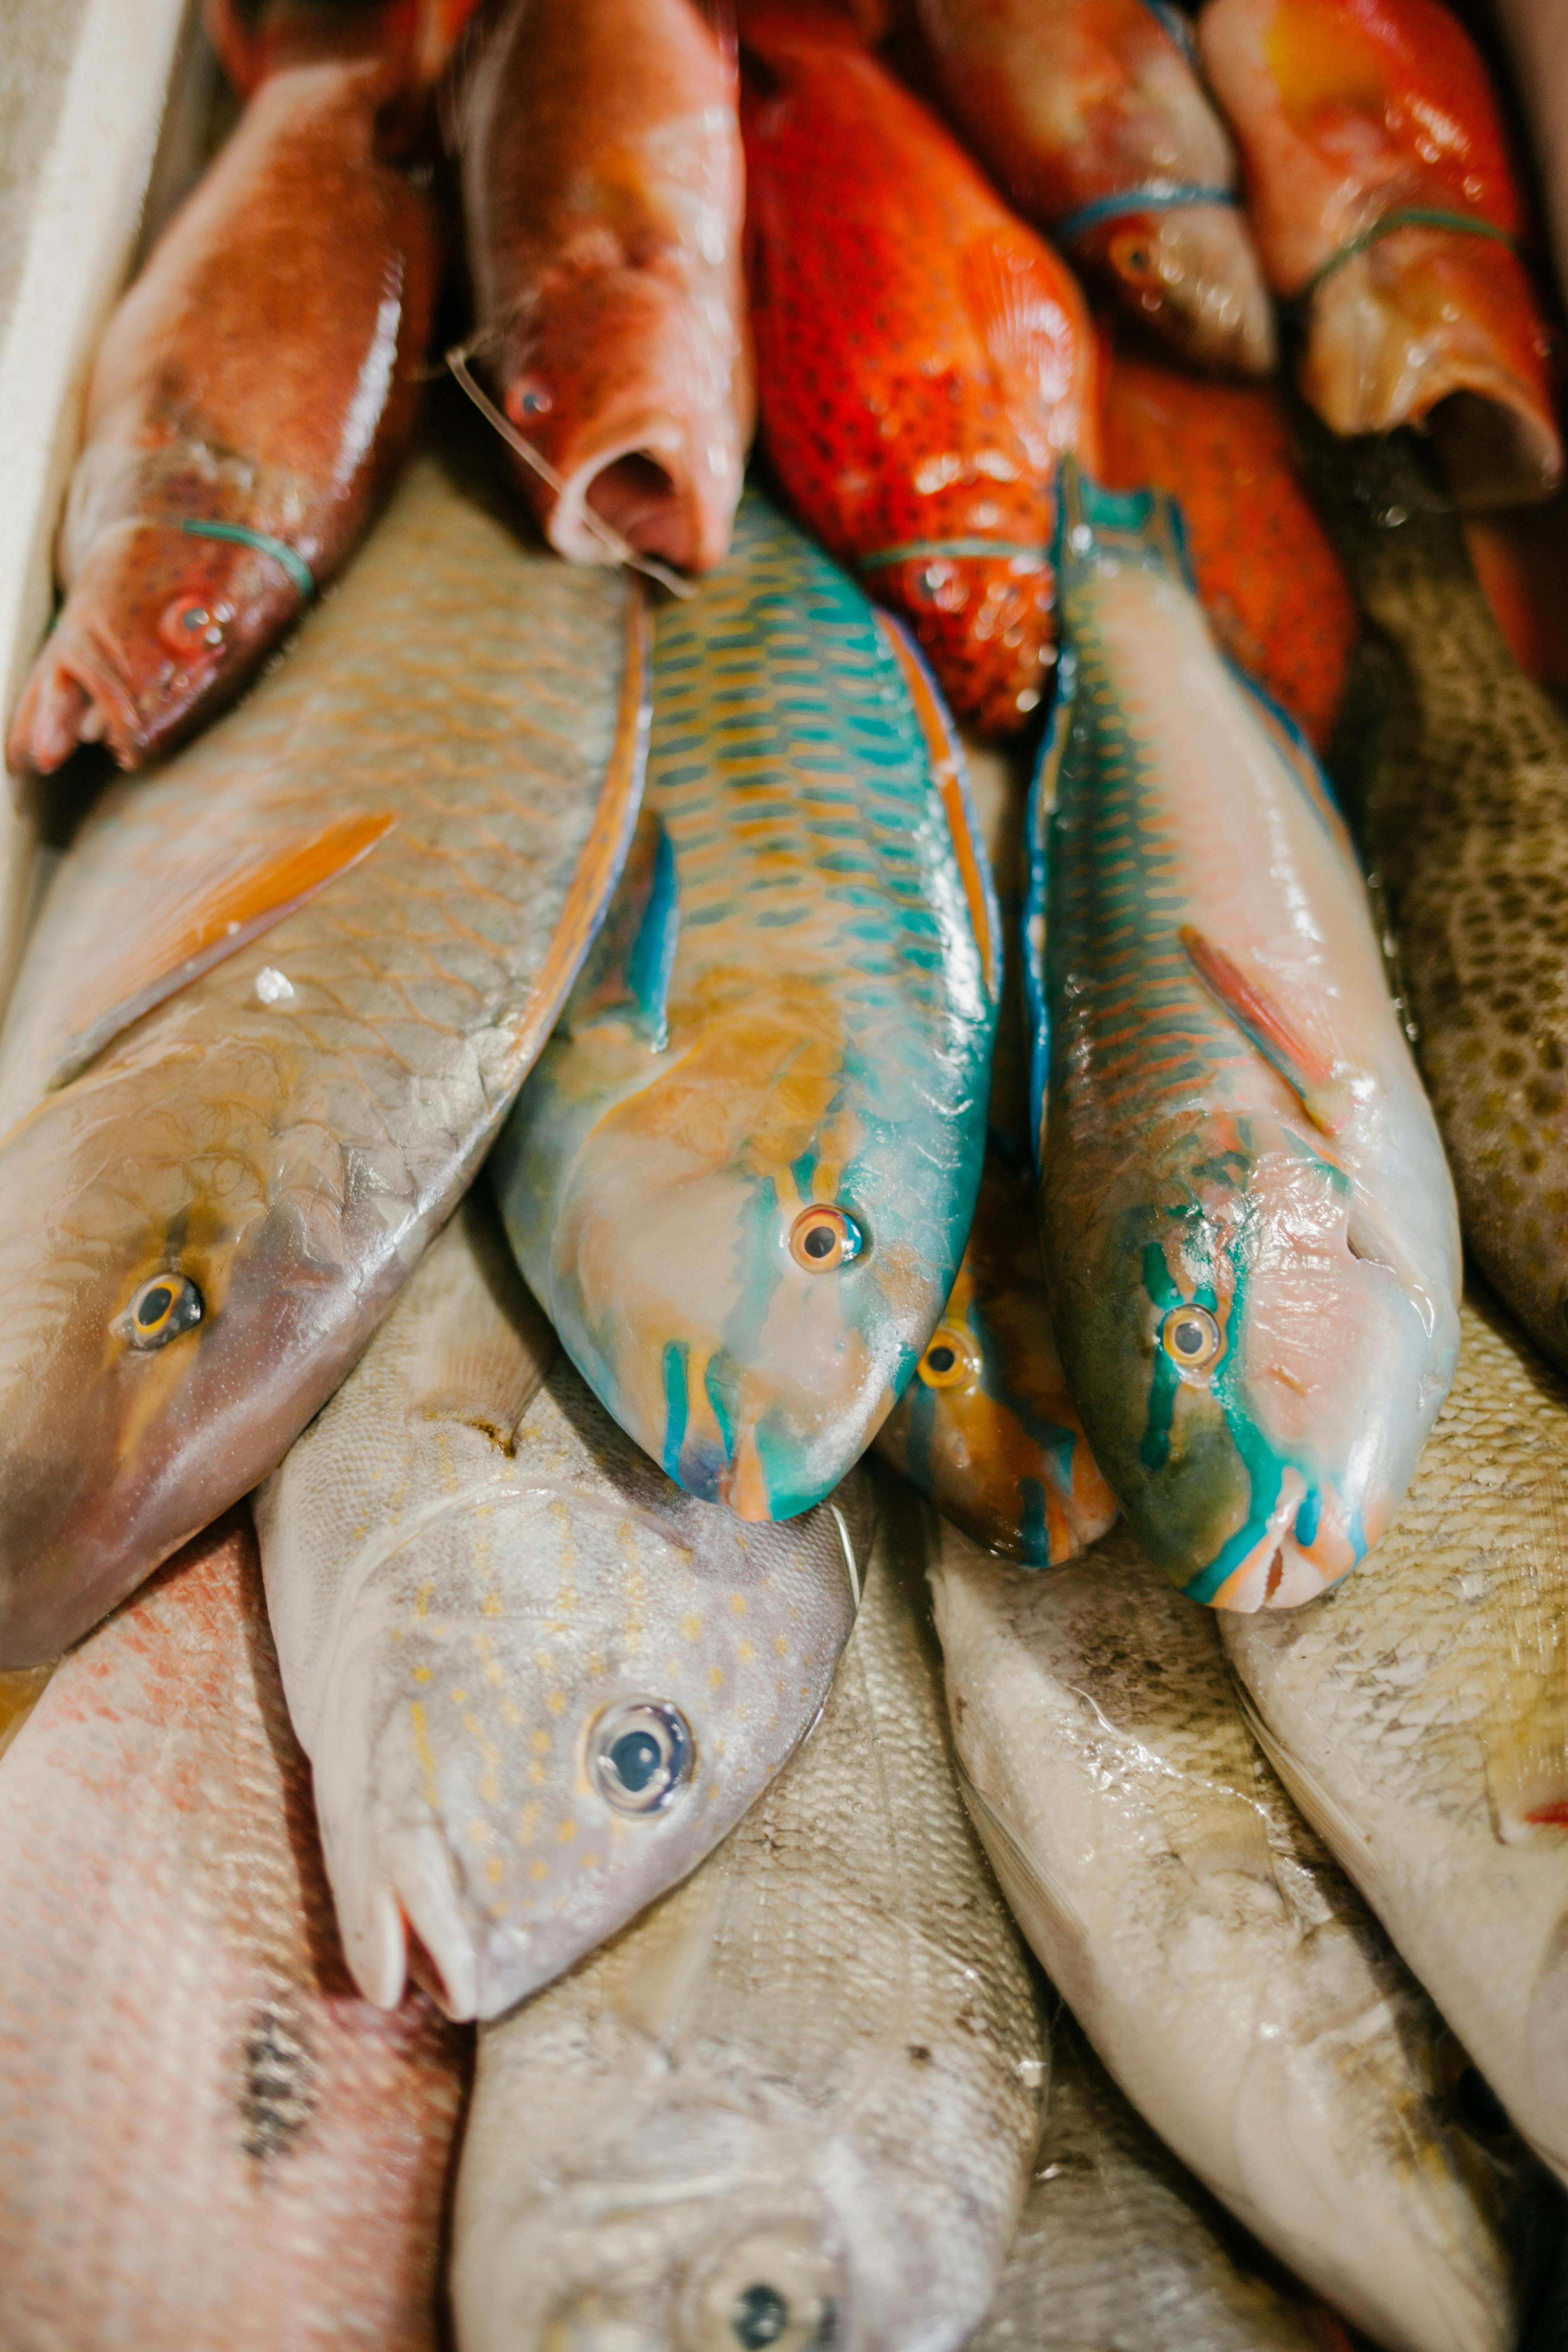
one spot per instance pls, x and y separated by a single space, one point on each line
1259 1356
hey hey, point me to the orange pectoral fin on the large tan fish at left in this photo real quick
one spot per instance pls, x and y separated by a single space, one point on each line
206 918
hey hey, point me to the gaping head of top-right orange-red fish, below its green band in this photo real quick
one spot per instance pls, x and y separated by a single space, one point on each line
1438 328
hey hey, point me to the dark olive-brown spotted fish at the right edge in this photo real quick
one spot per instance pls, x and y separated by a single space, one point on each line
1461 789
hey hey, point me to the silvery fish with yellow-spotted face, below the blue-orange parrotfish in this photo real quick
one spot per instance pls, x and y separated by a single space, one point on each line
535 1681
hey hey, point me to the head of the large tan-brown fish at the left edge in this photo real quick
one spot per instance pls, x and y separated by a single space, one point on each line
170 1323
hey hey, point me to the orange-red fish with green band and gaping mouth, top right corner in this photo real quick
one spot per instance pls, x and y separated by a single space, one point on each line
1388 218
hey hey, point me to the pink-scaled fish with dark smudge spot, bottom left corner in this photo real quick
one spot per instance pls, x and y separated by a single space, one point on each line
210 2141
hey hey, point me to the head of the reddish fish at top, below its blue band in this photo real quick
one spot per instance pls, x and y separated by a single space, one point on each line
1195 276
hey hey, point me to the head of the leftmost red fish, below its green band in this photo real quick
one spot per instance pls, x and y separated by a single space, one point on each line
159 629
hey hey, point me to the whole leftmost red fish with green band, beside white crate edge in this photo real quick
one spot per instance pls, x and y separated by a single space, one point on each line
248 403
